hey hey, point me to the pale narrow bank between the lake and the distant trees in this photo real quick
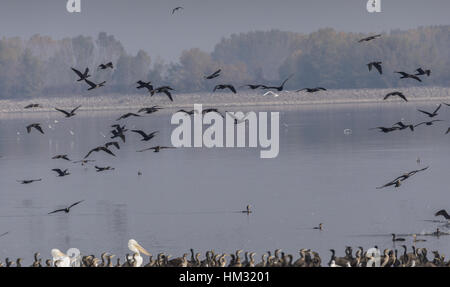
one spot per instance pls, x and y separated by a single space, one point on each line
285 98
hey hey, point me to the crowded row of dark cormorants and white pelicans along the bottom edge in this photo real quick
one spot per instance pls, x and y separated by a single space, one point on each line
418 257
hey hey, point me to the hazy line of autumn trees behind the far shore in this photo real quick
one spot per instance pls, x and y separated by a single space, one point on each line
41 65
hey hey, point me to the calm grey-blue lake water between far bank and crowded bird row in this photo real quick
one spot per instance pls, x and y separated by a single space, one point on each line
188 198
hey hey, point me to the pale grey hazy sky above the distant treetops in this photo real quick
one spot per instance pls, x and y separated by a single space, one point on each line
149 25
